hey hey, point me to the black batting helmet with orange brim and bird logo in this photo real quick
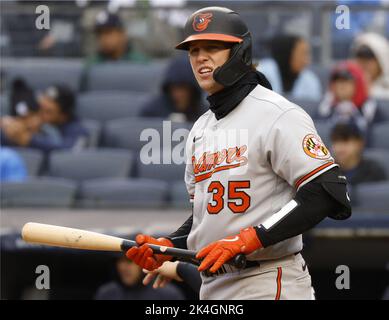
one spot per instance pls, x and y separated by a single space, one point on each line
222 24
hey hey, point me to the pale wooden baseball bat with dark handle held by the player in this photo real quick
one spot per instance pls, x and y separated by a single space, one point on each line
58 236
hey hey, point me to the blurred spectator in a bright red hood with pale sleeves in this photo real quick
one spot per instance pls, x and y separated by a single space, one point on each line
347 97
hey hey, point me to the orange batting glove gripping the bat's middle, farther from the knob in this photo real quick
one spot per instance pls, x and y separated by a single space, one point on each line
144 256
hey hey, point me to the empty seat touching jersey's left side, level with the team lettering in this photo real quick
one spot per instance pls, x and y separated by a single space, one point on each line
167 172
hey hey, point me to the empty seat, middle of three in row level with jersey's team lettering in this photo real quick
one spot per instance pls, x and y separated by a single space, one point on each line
90 164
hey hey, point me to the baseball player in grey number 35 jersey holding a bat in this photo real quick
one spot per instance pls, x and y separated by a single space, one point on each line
254 195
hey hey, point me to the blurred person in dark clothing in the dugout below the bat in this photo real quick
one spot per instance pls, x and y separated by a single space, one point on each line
128 286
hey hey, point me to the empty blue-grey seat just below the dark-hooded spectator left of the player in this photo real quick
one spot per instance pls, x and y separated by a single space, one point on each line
127 133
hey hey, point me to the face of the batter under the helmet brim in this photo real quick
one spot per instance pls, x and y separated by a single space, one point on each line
205 56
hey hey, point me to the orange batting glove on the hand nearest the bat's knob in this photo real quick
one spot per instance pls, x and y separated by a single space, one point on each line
219 252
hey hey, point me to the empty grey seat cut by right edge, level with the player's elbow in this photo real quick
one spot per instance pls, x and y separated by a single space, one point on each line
373 196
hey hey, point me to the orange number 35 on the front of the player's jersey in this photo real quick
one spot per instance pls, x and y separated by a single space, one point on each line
238 200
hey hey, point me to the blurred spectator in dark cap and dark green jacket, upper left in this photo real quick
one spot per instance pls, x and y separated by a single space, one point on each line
112 41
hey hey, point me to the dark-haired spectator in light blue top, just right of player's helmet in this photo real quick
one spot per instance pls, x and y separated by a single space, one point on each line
286 69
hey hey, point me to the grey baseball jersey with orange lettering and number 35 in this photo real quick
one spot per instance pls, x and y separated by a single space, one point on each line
245 167
